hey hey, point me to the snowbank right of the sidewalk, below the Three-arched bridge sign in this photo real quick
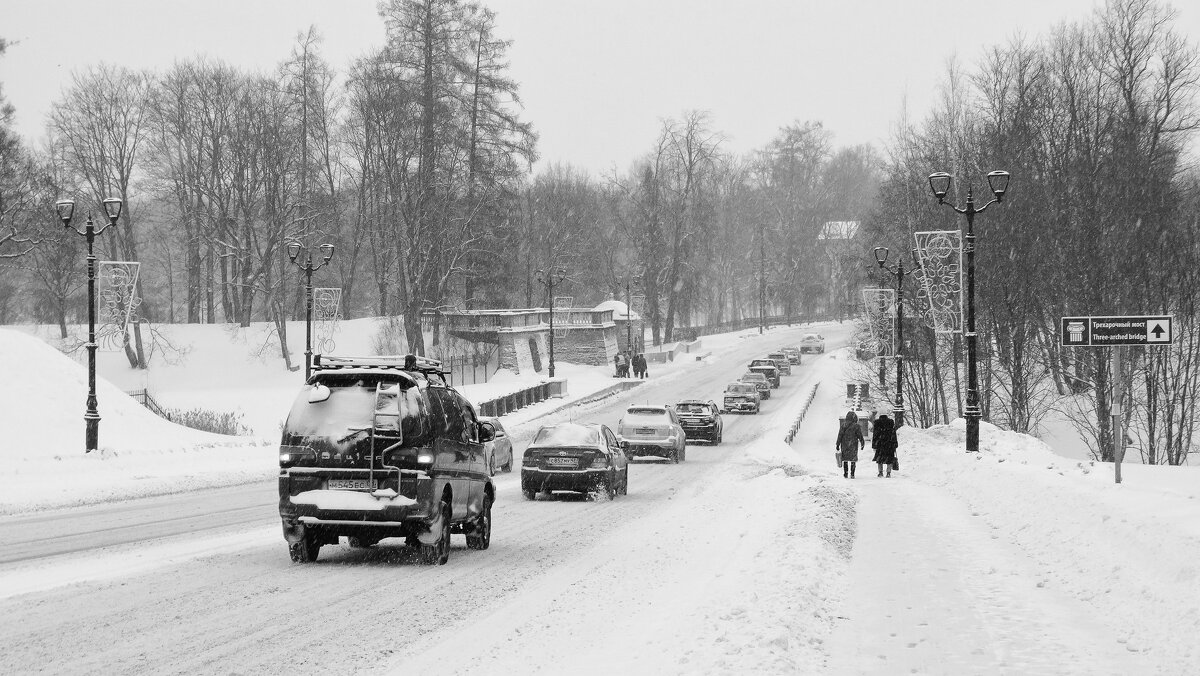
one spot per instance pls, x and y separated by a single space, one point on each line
1131 551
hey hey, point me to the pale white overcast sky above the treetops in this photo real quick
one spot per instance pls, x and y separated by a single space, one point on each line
597 77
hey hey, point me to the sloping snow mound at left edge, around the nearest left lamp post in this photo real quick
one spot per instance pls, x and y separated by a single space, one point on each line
140 454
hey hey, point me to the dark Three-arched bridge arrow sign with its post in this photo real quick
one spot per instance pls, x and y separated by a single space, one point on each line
1117 333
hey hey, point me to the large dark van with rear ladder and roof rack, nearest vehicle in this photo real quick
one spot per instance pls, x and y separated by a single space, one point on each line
379 447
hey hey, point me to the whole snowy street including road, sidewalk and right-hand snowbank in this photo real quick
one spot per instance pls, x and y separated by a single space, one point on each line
748 558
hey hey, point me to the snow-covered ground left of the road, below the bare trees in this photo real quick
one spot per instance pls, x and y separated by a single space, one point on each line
217 368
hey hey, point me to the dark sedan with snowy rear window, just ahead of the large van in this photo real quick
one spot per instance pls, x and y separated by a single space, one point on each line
574 457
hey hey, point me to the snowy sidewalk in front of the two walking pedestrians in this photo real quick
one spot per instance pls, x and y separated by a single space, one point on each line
932 590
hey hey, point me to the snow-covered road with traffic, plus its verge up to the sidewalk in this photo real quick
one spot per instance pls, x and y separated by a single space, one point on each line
687 573
